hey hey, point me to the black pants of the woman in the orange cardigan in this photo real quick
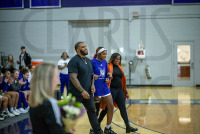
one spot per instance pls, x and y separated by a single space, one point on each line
119 98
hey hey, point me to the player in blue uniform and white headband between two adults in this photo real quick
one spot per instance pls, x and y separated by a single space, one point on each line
100 70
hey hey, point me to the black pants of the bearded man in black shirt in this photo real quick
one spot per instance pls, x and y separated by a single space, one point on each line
89 105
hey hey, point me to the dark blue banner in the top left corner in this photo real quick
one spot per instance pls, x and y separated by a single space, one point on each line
11 4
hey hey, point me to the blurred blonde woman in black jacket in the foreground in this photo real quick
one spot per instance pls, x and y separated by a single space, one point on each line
44 112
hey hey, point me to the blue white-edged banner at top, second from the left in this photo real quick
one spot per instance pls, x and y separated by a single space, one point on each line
45 3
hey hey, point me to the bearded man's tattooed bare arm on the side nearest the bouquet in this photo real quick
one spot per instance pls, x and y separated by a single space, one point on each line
76 83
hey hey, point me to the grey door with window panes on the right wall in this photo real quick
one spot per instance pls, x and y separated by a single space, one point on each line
183 64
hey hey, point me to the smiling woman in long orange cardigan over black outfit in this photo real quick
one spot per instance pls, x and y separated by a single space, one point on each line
118 90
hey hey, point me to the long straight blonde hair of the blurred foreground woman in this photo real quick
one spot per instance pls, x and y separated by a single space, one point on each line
41 83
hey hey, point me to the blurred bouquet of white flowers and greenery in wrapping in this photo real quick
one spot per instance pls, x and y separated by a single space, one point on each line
71 112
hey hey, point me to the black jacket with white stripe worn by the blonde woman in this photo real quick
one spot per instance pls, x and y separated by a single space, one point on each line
45 120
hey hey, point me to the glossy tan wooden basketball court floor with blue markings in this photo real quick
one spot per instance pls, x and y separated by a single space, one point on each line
153 110
